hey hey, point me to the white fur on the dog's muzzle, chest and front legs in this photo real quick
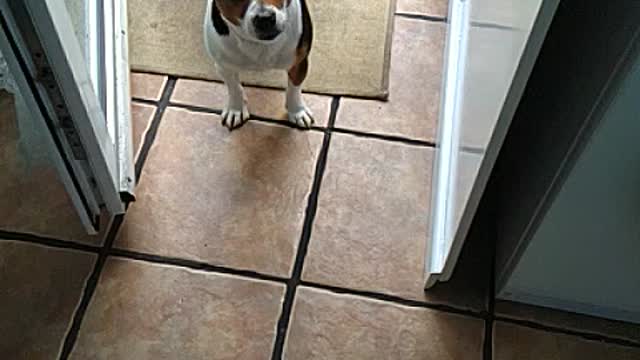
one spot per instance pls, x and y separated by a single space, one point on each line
242 50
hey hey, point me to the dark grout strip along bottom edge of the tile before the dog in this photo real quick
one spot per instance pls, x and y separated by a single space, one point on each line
194 265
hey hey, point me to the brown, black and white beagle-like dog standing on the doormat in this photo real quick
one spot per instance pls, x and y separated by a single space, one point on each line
259 35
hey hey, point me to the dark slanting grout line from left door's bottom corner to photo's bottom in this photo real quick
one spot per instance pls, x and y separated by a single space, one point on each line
89 289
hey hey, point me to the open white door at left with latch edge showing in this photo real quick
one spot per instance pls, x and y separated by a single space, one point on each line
68 61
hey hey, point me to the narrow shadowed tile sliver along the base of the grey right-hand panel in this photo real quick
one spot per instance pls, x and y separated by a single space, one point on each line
567 320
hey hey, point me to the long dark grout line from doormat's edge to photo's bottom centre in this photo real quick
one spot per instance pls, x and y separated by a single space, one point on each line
303 246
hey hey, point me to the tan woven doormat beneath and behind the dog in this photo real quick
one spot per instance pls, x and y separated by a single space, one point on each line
350 54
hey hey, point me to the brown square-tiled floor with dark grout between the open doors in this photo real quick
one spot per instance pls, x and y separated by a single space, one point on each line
269 242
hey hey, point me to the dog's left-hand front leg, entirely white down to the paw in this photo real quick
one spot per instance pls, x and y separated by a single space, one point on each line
235 112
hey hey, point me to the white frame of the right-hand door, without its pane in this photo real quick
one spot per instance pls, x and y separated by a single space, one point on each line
446 240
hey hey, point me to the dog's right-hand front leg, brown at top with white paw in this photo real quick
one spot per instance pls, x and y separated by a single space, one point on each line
299 113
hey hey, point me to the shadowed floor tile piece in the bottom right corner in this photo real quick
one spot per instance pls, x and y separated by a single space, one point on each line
513 342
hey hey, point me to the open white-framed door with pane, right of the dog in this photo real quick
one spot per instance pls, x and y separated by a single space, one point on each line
491 48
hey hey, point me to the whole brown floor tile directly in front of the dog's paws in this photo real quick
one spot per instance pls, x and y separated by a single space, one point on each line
235 199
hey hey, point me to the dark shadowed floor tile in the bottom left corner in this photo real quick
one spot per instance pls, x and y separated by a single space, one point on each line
40 288
